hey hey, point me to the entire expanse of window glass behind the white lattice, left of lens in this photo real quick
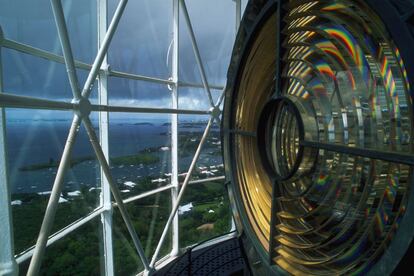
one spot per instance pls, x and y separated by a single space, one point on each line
138 145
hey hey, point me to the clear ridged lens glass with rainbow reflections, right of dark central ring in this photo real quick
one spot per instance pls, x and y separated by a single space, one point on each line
347 75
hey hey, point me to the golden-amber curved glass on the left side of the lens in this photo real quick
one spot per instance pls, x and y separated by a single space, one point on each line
255 185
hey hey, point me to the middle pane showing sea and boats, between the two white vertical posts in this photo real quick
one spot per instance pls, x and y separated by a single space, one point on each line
140 152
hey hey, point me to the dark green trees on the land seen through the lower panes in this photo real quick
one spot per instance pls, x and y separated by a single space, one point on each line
79 252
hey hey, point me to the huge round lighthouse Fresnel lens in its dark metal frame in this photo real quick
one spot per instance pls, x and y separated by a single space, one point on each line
318 137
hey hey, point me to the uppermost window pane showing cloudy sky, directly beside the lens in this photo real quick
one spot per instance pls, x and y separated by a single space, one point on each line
213 23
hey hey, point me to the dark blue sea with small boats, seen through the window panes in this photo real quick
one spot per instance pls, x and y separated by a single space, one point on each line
32 143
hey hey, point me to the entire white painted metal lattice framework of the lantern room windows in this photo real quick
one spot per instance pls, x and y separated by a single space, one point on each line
82 108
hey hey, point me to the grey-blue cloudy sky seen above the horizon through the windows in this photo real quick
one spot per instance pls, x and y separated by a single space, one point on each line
140 46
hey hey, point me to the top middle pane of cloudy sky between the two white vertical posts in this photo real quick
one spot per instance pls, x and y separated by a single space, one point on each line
142 40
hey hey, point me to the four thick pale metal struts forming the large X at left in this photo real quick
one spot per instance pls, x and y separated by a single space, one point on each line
47 223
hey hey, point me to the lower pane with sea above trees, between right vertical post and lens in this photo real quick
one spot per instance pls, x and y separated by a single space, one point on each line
204 211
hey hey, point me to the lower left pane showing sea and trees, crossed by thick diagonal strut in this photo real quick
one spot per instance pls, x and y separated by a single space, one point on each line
35 145
